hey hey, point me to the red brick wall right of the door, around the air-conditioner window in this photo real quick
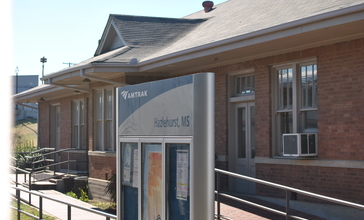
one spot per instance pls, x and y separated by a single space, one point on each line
340 124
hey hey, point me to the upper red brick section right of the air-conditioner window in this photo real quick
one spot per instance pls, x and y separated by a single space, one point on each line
340 101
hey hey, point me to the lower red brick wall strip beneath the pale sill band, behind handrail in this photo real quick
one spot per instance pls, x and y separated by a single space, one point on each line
341 183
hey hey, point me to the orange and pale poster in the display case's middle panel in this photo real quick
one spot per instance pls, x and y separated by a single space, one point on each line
152 182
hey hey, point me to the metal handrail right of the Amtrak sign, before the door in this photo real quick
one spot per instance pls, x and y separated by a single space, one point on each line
279 186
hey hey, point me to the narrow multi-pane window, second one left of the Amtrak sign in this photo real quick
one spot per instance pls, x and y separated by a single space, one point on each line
78 125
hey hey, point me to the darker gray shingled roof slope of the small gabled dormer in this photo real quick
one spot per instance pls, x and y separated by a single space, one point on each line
144 36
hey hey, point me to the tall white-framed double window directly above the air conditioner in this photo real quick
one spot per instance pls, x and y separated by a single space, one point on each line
294 102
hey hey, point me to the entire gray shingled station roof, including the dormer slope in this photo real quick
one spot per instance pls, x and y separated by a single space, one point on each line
152 37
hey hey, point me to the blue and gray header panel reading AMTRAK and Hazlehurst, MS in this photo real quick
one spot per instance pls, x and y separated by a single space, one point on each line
157 108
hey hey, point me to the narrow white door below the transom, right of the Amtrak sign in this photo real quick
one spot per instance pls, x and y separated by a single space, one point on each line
245 145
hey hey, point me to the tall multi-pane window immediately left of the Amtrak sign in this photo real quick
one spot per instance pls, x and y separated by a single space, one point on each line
104 119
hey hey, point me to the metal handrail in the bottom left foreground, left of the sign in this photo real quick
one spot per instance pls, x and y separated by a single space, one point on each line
69 205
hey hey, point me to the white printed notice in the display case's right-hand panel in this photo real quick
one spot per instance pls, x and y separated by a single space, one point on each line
182 174
